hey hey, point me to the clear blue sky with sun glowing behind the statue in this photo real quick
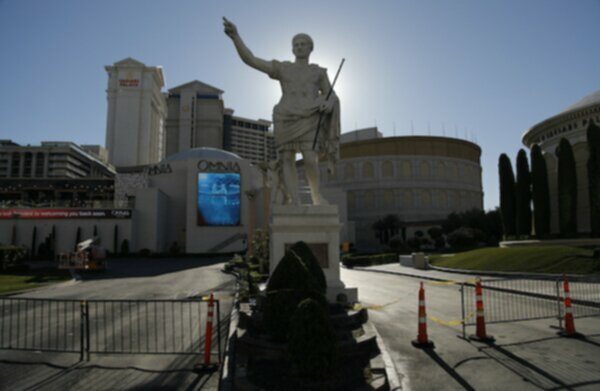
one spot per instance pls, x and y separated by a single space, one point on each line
481 70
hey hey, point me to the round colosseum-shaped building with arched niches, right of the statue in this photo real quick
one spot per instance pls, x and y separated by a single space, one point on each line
421 179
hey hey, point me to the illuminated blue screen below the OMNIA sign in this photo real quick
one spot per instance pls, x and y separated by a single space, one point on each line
218 198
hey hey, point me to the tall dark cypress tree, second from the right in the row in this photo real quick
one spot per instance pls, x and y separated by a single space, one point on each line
567 189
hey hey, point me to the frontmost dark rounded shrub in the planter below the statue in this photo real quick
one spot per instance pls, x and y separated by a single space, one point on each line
311 343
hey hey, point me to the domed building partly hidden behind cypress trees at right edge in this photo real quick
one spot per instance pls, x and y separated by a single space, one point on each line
571 124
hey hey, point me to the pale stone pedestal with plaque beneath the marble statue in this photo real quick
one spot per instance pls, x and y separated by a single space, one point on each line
319 227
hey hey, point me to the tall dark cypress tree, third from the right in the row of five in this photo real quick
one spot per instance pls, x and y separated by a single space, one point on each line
540 192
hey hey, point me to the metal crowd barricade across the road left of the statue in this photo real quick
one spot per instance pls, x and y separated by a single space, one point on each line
106 326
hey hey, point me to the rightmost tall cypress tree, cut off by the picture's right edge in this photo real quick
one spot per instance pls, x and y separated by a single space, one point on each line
593 165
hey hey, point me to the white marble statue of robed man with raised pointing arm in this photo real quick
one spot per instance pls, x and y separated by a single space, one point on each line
304 89
